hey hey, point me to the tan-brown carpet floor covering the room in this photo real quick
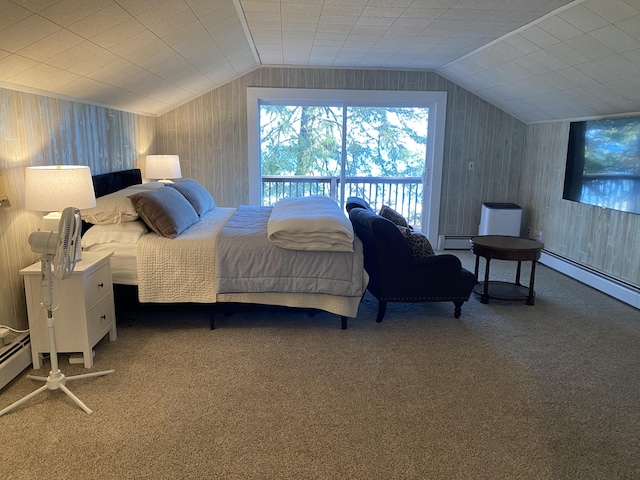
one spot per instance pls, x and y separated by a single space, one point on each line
508 391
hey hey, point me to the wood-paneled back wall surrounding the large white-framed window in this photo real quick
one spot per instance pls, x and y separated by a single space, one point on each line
210 135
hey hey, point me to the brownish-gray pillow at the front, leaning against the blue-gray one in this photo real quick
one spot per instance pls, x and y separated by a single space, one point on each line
165 211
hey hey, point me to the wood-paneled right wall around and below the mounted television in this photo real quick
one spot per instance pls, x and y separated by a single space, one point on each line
602 239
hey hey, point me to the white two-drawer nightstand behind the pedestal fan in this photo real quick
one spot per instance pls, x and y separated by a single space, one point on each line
83 308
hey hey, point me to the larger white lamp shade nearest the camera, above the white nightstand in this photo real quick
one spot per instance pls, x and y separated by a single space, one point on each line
56 187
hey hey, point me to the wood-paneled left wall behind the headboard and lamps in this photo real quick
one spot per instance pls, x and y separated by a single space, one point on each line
38 130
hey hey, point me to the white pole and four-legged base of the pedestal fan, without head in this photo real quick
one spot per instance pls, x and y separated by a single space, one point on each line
56 379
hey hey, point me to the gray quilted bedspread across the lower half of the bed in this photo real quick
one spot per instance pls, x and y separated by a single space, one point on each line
246 261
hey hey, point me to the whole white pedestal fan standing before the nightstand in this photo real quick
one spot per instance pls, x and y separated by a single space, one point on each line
58 253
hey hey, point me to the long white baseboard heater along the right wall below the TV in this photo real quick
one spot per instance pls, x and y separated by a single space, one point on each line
623 292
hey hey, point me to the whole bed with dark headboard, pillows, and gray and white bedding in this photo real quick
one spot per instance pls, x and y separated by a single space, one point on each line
223 255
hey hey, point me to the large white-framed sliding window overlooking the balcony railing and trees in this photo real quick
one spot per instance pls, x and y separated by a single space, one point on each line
385 146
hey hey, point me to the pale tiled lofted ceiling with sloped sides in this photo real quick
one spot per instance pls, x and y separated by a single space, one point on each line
539 60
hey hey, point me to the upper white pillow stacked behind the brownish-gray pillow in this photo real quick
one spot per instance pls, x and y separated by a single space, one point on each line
116 207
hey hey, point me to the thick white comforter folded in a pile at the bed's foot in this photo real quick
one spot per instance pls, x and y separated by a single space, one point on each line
310 224
